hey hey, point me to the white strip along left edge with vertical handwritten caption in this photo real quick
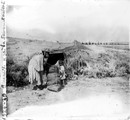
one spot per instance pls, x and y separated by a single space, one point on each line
3 69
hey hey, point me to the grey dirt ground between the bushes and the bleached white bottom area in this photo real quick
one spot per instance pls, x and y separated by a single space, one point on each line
76 89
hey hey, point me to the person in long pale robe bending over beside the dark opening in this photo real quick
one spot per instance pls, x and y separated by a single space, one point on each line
35 69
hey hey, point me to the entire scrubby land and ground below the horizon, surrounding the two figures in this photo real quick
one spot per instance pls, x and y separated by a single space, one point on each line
95 73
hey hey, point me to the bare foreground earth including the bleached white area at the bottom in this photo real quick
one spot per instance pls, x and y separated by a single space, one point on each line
110 96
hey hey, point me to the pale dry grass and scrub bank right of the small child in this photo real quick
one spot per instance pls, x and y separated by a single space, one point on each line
109 64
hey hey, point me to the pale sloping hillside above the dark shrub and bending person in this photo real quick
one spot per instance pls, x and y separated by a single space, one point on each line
20 49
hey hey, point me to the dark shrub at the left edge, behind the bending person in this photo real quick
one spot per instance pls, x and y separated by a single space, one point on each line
16 74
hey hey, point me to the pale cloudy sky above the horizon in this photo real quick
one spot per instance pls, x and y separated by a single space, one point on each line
69 20
